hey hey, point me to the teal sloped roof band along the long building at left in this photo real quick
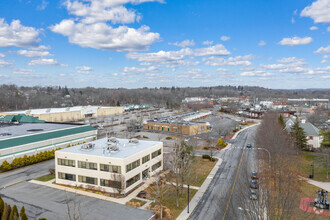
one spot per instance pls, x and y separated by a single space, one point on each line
42 136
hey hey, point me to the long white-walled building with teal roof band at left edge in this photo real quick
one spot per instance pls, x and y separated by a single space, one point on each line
19 139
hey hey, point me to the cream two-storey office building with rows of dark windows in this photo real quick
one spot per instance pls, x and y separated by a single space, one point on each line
109 164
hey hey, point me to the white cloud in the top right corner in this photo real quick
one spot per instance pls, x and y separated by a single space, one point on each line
318 11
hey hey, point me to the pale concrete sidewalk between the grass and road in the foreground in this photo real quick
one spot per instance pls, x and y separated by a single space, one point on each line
194 201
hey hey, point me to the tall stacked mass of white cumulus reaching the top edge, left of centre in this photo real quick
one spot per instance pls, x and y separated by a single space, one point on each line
90 28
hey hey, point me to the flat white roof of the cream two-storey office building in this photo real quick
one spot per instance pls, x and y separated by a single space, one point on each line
126 149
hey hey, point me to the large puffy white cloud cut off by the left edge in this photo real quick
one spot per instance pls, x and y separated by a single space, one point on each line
15 34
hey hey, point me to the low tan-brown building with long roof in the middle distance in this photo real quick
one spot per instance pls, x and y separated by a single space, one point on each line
180 124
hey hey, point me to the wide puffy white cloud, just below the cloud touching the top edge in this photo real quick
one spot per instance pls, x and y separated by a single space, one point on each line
104 37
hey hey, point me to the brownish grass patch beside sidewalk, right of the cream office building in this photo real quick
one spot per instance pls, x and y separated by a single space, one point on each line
200 169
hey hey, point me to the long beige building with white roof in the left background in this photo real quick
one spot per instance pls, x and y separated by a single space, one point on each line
76 113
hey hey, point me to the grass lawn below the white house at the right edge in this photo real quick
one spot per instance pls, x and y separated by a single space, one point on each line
320 167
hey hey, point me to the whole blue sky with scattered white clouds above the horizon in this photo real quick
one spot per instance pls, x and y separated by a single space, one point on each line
153 43
